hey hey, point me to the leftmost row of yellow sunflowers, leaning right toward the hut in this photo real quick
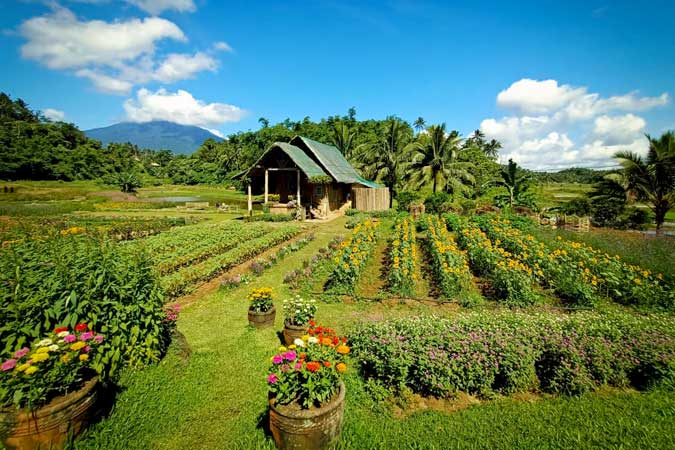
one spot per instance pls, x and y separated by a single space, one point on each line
352 256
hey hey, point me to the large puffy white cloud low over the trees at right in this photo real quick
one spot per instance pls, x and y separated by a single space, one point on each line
554 125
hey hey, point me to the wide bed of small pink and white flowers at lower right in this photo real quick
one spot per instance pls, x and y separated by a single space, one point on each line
505 352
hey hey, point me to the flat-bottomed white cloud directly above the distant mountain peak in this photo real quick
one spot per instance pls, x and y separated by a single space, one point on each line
180 107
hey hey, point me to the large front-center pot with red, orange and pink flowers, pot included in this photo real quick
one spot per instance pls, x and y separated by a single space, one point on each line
306 392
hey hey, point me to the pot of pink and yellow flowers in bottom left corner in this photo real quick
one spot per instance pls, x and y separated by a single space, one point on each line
48 390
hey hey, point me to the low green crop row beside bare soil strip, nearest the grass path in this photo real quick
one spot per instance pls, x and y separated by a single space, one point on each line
184 280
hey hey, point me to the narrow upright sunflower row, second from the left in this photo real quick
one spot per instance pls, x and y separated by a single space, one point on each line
403 258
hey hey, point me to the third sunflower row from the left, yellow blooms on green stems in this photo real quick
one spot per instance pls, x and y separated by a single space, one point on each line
448 263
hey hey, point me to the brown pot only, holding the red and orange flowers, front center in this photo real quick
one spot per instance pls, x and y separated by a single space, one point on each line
308 429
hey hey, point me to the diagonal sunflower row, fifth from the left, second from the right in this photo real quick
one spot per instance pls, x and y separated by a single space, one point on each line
571 281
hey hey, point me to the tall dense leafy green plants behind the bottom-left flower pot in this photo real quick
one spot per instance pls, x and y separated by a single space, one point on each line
63 280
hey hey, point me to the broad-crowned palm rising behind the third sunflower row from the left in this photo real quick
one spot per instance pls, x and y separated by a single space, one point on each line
434 160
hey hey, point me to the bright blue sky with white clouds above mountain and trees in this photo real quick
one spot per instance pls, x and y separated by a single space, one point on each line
558 83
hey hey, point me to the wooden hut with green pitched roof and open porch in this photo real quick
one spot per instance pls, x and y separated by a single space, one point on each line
313 176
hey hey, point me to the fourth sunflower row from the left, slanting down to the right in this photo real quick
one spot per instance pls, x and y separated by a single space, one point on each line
512 280
